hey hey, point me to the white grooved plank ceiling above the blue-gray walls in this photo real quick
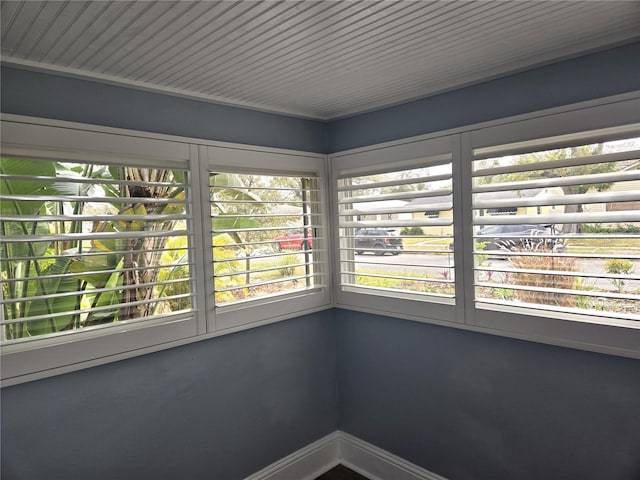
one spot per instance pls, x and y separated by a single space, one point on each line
316 59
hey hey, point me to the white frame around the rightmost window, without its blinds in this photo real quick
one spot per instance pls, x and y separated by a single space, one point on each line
572 330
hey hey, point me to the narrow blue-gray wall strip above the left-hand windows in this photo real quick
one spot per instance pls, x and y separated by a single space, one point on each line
61 98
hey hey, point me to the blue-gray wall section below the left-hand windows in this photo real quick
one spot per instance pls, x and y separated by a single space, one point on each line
219 409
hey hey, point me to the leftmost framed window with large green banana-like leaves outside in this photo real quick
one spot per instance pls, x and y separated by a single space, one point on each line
98 246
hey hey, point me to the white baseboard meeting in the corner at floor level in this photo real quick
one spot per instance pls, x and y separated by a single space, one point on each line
341 448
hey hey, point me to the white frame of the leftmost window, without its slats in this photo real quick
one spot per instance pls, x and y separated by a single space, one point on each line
40 356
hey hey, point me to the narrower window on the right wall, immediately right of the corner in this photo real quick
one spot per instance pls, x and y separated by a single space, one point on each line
395 226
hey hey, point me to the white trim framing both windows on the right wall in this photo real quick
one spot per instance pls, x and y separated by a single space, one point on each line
575 331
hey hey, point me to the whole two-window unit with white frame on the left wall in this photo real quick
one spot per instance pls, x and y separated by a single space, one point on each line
117 243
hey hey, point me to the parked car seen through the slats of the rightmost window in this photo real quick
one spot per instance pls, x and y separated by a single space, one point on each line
515 237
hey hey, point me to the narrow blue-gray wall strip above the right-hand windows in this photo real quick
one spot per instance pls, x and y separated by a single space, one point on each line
597 75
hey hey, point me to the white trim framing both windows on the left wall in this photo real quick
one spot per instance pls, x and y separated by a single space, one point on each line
43 138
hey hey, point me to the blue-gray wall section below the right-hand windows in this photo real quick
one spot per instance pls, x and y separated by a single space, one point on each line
470 406
